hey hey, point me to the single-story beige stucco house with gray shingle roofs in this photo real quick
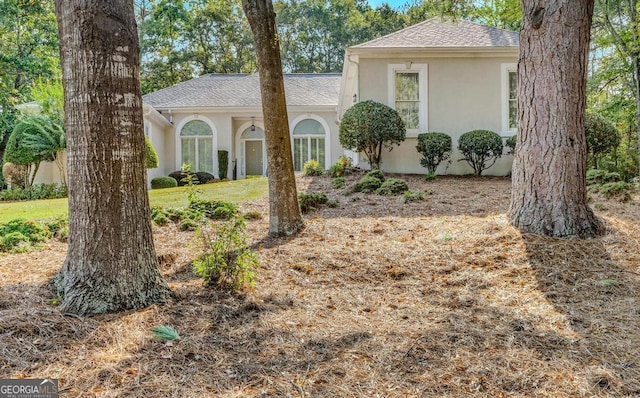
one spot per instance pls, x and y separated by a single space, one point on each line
440 75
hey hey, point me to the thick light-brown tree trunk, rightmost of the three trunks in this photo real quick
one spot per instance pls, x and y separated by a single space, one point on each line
549 169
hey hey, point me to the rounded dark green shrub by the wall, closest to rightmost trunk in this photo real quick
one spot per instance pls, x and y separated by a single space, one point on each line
481 149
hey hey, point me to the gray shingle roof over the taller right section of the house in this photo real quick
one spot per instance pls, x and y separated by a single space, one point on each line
438 33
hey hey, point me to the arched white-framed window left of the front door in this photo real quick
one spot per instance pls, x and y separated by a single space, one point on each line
197 146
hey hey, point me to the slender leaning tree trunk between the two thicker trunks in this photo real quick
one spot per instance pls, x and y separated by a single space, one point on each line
284 212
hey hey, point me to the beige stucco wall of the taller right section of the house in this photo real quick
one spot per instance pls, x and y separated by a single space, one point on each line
464 93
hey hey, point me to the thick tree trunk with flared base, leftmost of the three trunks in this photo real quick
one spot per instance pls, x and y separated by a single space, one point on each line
111 263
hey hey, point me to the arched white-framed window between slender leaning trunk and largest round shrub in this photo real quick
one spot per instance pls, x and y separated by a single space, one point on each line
308 143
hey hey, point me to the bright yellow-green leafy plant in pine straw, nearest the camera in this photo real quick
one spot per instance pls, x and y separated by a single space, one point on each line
227 261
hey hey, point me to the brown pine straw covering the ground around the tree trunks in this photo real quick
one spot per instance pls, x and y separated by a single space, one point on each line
375 298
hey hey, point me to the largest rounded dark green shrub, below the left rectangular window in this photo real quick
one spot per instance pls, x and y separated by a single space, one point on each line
369 126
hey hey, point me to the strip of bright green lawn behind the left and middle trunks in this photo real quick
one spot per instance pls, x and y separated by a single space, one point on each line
230 191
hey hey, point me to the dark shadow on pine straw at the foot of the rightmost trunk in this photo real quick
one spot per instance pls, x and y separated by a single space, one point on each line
601 302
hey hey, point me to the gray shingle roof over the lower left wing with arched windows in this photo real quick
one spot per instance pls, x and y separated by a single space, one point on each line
243 90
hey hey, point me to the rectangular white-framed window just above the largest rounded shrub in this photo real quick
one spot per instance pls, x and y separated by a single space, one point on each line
408 94
